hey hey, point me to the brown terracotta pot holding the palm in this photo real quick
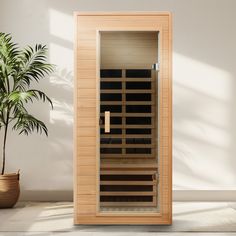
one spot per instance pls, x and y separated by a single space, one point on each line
9 190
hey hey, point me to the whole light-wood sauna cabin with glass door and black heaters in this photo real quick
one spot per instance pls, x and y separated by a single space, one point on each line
123 118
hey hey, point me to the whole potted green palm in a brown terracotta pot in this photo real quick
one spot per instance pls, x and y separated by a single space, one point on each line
19 68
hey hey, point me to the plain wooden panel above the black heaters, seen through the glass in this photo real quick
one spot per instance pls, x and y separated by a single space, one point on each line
128 50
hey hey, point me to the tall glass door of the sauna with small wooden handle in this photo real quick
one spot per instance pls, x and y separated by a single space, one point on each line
128 122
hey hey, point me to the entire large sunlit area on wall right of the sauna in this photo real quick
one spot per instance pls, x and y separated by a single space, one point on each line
202 125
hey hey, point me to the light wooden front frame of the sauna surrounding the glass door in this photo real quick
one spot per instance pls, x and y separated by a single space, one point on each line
86 135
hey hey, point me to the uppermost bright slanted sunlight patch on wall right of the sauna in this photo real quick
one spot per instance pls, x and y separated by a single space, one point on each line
202 77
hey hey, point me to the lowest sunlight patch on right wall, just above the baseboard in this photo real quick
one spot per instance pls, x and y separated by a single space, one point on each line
200 167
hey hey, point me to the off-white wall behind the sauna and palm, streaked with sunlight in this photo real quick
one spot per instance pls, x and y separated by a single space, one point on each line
204 93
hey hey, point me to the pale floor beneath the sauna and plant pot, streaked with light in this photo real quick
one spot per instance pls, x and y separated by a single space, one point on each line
189 218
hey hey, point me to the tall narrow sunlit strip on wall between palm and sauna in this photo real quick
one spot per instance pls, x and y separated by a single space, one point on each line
61 54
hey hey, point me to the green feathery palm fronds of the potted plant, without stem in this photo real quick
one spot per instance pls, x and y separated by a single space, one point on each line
18 69
